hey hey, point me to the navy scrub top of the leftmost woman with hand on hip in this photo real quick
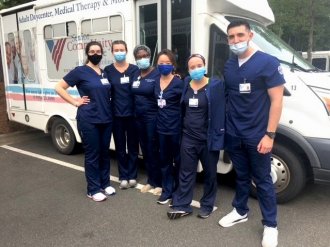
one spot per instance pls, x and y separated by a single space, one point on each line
89 83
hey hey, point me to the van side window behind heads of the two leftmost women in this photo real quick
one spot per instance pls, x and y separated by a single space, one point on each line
103 30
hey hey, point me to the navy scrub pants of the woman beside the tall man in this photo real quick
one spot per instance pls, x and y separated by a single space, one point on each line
191 152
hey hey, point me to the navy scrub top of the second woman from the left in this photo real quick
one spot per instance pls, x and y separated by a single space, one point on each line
122 97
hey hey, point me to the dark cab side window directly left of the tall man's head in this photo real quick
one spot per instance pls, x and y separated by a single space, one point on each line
218 52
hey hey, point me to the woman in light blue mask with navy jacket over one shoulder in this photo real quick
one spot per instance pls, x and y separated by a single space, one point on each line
203 113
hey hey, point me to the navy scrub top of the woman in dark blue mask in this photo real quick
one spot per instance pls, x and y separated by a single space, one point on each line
169 116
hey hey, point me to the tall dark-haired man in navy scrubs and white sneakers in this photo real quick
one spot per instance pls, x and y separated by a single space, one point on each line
254 87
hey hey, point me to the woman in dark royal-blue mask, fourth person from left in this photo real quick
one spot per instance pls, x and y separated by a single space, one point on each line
168 92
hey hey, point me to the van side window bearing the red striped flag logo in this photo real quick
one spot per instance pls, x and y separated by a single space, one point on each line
62 47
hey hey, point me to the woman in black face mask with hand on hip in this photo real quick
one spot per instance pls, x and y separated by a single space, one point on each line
94 119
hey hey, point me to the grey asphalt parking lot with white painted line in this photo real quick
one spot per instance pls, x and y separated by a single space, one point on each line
43 203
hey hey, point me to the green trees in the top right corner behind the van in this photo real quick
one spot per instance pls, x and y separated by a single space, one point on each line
293 23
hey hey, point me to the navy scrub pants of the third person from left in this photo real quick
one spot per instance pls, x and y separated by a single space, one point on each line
149 145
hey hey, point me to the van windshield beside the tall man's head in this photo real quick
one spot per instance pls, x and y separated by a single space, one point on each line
269 42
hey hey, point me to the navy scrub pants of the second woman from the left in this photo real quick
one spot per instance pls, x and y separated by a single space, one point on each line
124 132
